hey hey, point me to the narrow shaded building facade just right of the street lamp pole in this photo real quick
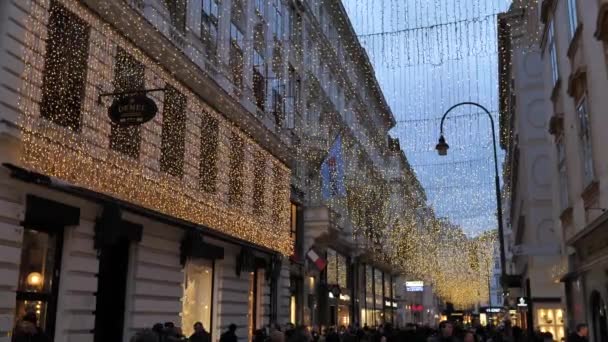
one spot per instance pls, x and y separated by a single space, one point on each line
534 242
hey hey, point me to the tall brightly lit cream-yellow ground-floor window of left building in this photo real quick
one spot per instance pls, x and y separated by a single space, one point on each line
198 295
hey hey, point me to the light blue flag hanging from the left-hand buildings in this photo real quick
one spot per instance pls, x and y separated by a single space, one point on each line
332 172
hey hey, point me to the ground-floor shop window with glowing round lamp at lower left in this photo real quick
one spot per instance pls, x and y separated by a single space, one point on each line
39 277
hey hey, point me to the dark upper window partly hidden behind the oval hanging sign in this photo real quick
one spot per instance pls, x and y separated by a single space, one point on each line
128 76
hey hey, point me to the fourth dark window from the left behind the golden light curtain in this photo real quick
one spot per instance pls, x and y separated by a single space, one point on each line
208 150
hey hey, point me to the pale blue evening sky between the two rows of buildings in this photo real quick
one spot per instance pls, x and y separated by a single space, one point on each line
429 55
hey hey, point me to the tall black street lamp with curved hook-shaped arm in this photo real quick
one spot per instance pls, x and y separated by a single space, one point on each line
442 148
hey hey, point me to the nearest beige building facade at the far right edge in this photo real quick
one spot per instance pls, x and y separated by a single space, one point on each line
573 60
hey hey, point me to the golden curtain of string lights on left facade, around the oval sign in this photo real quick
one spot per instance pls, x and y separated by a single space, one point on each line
83 158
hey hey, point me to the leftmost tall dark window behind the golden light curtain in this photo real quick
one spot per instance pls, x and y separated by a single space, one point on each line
65 68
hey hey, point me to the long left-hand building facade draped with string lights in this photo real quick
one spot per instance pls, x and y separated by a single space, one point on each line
206 210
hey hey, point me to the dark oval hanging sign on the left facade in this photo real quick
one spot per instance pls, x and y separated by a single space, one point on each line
132 110
